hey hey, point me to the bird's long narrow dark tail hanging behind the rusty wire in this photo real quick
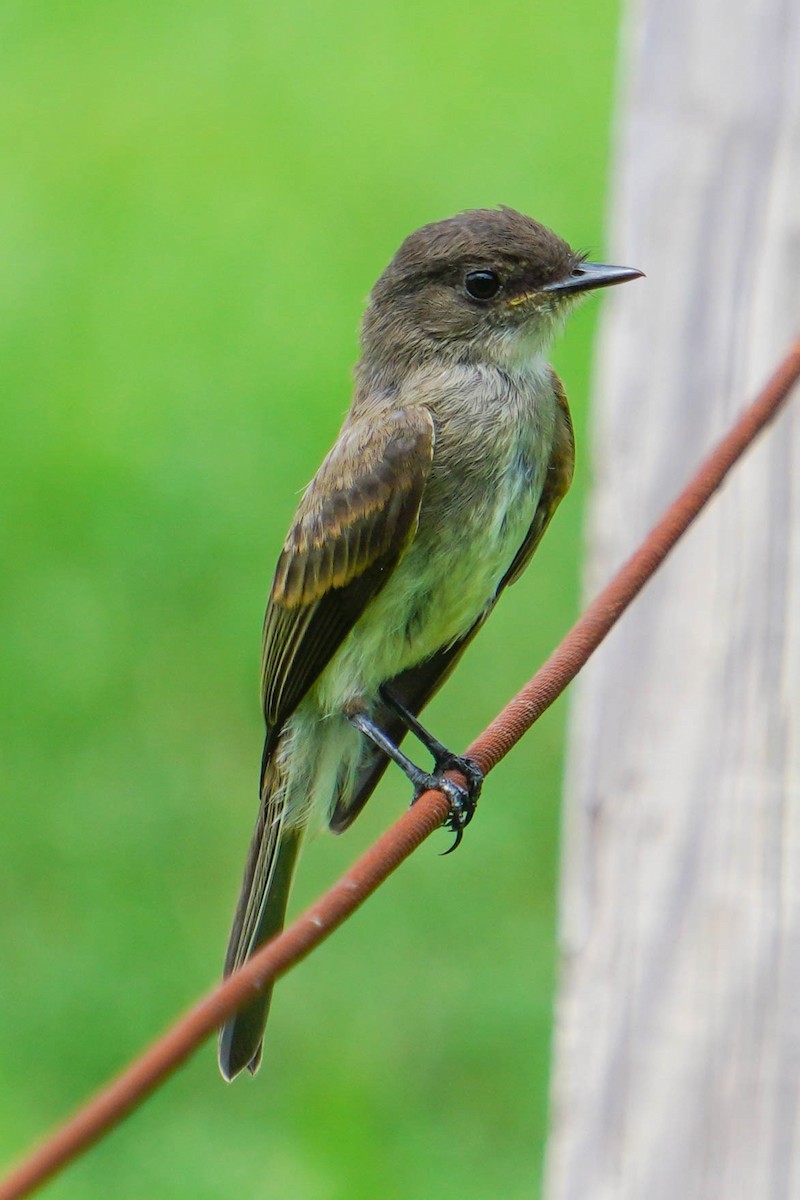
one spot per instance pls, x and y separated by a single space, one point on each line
260 916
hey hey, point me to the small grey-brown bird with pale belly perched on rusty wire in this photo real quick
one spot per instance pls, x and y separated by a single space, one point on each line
450 464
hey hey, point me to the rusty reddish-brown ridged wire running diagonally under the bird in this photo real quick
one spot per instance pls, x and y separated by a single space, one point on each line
124 1094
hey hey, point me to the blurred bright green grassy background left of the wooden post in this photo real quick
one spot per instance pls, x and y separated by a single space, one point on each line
195 201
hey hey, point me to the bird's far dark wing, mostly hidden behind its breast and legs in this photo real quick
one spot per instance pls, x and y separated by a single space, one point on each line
414 688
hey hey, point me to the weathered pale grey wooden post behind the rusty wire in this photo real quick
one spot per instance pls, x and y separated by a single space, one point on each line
677 1072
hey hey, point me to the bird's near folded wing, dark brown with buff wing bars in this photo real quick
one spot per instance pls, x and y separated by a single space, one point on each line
354 524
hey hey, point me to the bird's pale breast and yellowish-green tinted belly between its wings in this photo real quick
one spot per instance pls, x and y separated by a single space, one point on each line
488 477
